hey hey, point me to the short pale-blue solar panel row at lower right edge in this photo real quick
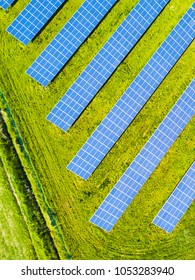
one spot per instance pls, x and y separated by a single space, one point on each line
178 203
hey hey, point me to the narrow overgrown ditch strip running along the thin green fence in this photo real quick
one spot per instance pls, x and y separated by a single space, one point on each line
22 154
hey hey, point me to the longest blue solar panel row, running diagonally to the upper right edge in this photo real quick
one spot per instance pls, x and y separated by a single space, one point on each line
131 102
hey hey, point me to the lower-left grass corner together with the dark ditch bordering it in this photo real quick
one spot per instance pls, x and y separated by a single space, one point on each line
19 209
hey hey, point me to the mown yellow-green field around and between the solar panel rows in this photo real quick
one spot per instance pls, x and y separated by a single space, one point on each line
72 200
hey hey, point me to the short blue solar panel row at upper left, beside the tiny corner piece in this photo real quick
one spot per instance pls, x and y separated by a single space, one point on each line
30 21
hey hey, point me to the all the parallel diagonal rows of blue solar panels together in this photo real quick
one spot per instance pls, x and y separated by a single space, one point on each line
44 69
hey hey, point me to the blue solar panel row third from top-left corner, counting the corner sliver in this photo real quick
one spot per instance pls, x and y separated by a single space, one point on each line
68 40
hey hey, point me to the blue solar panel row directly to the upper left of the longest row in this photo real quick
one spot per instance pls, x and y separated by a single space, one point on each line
104 63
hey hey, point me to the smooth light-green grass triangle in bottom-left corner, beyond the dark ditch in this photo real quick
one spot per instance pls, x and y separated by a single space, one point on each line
14 238
